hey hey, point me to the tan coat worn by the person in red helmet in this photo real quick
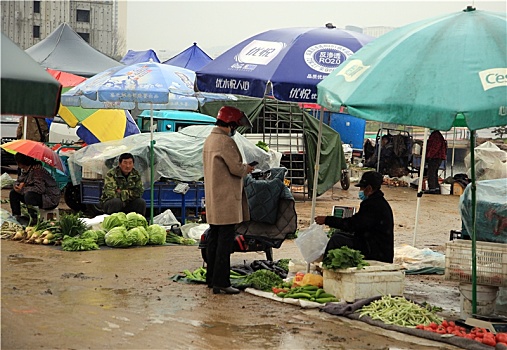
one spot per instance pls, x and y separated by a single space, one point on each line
224 170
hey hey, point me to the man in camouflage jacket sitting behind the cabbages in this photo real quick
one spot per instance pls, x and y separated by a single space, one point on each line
123 188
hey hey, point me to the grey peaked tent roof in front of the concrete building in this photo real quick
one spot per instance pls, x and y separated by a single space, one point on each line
66 51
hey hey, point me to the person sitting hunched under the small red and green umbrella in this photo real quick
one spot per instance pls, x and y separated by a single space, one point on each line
35 187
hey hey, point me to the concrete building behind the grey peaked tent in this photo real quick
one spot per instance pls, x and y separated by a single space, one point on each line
103 24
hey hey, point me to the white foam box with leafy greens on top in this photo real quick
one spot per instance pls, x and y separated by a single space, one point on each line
377 279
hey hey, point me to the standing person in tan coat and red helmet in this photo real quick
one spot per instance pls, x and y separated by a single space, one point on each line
226 202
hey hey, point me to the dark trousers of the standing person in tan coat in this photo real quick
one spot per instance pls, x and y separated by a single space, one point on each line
219 249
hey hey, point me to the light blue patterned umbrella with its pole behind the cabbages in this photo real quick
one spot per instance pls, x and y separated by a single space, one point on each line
147 85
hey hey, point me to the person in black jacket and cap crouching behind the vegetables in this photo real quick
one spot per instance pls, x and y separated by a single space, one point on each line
371 229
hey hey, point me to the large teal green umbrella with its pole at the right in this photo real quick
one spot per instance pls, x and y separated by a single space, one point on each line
438 73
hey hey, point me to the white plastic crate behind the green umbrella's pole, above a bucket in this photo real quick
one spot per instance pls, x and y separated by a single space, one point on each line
491 262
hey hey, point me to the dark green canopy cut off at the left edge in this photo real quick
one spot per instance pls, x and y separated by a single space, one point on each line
27 89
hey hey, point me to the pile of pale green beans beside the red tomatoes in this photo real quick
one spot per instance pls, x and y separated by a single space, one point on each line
399 311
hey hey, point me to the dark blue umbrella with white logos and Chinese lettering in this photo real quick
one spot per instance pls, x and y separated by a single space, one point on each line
285 63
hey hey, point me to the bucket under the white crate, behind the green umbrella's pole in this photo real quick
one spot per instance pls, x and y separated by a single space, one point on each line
486 300
